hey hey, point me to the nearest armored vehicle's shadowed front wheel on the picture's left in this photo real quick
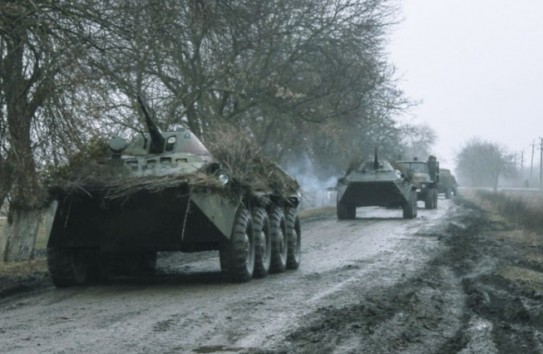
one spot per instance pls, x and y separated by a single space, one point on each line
67 266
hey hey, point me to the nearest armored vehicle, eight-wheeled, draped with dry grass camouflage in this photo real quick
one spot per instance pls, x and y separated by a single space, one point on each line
166 192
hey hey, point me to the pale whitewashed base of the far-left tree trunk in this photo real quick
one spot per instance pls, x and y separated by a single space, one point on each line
20 235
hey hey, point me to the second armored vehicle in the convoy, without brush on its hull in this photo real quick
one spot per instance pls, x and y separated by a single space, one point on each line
374 183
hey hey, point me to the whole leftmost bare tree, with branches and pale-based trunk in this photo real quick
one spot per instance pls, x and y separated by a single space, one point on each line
39 40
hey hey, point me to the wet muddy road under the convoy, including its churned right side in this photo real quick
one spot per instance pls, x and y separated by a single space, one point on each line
377 284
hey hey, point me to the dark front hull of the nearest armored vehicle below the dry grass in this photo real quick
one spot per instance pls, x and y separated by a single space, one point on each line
172 219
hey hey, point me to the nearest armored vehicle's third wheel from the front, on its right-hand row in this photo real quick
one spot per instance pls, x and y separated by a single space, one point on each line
279 245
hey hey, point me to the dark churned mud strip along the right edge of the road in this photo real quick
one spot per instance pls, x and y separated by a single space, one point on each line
459 303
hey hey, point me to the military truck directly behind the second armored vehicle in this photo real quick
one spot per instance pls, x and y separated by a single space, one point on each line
424 175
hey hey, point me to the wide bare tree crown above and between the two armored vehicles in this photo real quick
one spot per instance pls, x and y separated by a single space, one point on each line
288 73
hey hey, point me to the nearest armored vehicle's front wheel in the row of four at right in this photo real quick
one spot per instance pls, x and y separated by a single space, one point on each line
237 256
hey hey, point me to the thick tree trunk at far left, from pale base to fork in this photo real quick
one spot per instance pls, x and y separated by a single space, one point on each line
23 96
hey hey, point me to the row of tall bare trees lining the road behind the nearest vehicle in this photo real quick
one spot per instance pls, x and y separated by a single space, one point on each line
305 78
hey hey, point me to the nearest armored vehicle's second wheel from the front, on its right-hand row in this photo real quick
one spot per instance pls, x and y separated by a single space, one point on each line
261 227
